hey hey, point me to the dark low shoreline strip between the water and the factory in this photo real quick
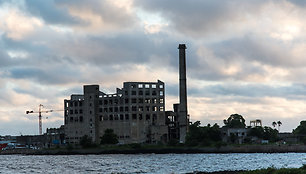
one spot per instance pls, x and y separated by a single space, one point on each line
163 150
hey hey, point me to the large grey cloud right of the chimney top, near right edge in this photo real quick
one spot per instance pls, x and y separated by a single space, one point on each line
256 48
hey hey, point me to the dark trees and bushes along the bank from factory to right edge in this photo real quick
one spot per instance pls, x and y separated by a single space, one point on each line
201 136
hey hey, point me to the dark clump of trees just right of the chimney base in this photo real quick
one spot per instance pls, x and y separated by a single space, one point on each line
212 135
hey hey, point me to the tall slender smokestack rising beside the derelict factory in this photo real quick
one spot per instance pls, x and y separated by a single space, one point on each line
182 111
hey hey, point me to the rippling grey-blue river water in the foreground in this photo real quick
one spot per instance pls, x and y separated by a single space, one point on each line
147 163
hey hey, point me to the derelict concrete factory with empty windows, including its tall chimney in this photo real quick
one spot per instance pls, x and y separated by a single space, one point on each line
135 112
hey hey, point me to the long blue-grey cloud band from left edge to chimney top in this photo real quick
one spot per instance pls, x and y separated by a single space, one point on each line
131 48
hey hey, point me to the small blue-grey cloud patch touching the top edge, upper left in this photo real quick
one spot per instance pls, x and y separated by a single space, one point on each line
50 12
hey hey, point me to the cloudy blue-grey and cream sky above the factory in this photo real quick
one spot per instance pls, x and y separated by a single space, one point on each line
245 57
